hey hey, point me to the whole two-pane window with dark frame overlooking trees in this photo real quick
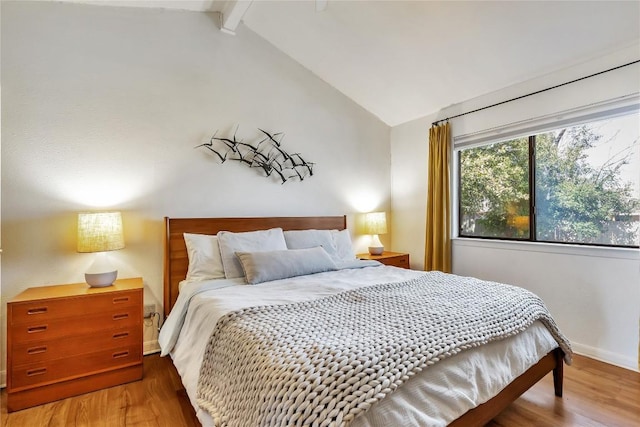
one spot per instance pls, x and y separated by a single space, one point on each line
577 184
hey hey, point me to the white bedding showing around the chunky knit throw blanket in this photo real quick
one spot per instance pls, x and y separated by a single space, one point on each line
434 397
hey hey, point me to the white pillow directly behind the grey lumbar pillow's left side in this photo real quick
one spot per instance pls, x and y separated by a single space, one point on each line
251 241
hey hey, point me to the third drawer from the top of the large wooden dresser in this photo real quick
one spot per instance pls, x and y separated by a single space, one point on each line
40 351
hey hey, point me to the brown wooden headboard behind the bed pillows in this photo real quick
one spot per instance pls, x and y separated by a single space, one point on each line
176 261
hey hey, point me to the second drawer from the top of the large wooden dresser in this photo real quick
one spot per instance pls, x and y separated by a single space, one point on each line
44 330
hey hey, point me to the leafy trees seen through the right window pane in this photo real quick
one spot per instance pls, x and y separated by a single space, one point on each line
575 201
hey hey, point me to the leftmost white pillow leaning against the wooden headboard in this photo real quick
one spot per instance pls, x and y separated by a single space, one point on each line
205 262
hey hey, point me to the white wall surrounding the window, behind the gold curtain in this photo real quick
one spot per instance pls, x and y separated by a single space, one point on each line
594 294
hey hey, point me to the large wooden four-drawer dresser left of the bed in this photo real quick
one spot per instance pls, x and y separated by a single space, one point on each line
66 340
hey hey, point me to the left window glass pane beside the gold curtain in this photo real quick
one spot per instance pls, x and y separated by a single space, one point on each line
494 190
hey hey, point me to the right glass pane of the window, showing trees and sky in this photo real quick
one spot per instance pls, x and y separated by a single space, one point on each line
588 183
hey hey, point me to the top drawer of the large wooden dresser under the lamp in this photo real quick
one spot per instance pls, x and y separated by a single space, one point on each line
33 312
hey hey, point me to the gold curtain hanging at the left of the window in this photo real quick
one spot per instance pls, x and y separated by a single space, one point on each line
437 253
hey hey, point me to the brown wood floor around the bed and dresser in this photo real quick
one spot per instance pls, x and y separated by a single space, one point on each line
595 394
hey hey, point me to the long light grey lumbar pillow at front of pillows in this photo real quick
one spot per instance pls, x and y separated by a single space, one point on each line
273 265
